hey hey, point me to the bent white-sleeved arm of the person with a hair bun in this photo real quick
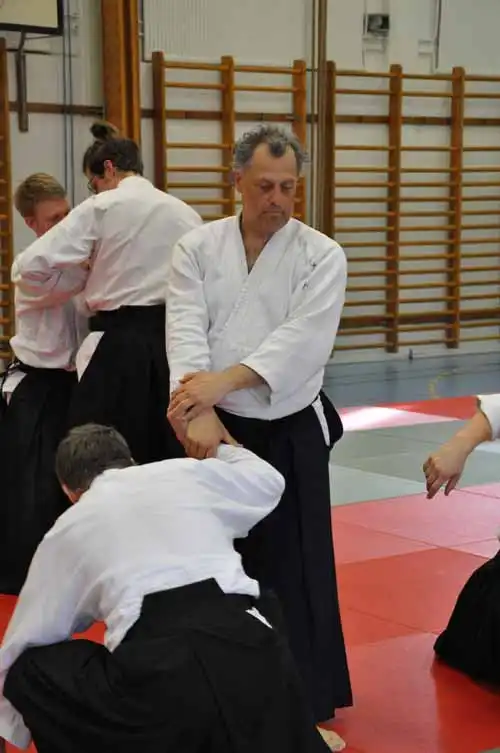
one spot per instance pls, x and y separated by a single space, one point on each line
55 267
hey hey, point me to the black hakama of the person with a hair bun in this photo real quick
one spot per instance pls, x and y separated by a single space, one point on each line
126 383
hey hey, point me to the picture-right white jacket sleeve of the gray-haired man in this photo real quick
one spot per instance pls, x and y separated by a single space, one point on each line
303 343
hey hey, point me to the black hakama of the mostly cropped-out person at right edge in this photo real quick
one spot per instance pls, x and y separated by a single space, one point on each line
471 641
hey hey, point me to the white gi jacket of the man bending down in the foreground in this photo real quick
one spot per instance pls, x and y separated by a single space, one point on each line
137 531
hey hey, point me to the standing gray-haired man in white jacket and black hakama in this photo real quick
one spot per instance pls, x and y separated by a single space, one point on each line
253 306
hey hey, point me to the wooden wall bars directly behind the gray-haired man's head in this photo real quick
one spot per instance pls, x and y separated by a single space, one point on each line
204 180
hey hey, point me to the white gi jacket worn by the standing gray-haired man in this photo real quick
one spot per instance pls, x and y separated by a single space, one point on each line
280 319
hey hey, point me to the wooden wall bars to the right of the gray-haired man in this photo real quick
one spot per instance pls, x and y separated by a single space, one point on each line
434 277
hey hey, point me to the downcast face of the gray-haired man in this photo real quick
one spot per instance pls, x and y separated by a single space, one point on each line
268 186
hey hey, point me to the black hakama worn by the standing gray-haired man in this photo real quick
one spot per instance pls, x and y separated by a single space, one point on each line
291 551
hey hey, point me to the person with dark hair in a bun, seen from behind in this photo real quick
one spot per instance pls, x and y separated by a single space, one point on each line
122 236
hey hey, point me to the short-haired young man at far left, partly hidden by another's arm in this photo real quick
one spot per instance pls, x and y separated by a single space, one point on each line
35 394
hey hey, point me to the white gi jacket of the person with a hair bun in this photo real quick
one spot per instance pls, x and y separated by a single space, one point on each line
126 234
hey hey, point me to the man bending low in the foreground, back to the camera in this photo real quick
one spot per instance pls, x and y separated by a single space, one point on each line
191 663
